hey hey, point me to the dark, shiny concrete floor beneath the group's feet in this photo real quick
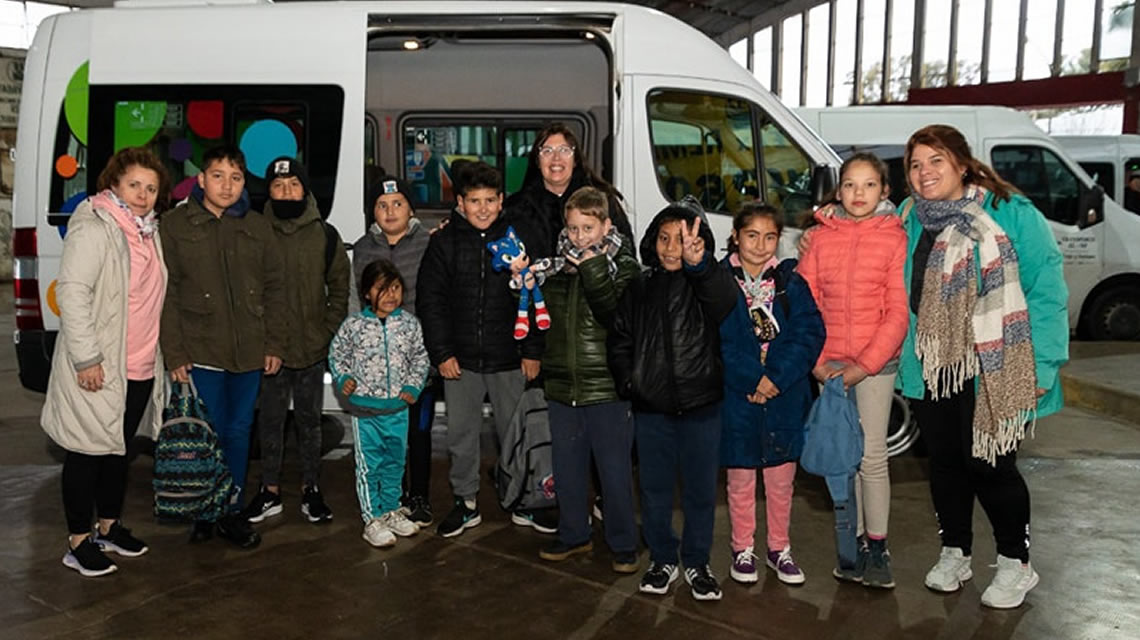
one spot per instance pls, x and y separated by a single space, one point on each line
325 582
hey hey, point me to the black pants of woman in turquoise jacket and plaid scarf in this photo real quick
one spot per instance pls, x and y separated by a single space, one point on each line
957 479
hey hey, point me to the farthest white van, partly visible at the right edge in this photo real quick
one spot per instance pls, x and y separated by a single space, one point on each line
1110 160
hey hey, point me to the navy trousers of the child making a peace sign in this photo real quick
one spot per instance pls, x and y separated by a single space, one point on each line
688 445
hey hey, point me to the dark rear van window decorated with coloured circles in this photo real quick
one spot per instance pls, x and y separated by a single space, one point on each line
181 123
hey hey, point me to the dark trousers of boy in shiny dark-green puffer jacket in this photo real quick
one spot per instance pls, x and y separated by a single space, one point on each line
607 432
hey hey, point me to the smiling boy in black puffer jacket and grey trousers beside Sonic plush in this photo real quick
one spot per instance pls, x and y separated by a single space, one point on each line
468 313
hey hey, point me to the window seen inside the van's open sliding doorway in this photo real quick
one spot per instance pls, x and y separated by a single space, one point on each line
430 147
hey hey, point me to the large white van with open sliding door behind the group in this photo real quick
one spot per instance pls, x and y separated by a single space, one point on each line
351 87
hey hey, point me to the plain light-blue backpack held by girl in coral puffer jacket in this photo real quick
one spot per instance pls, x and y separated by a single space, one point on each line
834 449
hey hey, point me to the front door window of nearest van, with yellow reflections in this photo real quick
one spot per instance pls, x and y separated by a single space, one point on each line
704 147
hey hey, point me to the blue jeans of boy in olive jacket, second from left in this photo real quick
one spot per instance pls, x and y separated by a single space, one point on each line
231 400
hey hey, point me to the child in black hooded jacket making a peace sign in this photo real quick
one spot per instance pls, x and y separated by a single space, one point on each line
665 354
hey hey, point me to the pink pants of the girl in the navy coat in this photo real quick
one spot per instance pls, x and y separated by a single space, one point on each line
778 491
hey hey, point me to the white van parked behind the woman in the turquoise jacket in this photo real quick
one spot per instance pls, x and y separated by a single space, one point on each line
1101 240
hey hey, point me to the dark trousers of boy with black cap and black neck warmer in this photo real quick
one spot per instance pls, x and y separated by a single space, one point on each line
307 387
